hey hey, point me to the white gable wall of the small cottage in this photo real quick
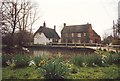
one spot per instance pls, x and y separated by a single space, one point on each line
41 39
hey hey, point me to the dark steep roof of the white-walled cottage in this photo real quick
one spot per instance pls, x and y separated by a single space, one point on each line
49 33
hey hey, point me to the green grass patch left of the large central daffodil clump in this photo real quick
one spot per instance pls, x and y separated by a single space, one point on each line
21 73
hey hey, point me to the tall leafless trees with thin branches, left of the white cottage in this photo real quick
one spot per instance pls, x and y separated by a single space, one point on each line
18 16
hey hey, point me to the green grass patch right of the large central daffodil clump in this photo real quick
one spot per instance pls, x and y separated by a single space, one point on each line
110 72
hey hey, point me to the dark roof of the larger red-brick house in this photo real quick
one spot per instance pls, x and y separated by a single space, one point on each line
76 28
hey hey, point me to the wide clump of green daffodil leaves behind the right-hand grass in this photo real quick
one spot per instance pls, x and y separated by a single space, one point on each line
88 60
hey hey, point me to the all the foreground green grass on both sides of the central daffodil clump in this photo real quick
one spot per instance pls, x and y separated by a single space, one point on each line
110 72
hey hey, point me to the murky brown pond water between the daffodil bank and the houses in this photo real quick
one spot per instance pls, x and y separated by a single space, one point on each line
65 52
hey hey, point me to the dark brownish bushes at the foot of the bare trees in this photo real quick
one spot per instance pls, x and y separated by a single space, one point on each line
19 38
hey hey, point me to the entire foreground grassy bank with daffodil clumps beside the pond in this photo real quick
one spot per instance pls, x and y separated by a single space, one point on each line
100 65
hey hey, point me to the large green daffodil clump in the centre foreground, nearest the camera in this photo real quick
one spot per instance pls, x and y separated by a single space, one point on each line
55 69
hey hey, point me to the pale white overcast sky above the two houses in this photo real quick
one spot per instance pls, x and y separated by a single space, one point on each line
99 13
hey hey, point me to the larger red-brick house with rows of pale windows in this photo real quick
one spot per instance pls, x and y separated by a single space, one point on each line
79 34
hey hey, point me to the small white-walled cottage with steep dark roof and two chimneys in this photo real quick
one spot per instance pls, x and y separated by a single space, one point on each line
45 35
